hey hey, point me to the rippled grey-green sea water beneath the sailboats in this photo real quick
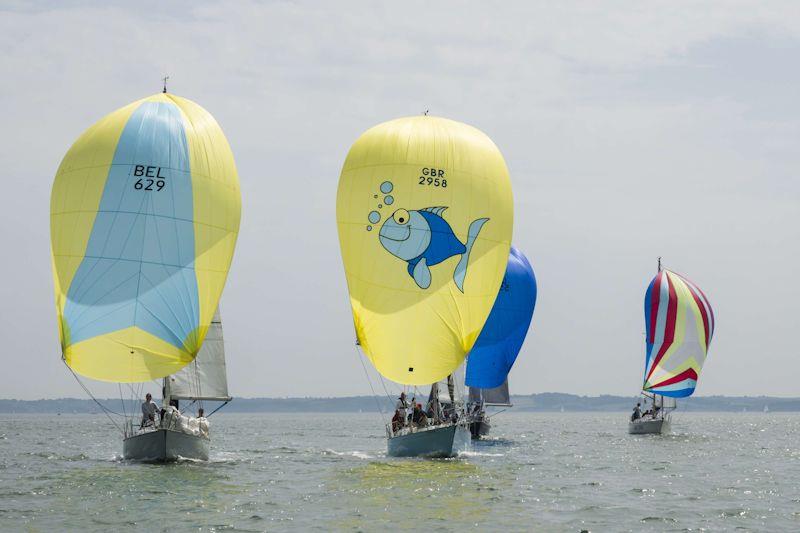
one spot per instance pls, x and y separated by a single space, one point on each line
536 472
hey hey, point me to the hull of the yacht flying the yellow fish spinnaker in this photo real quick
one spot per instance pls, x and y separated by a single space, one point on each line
442 441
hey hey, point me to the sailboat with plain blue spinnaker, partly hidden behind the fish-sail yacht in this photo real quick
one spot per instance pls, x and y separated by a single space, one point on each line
499 343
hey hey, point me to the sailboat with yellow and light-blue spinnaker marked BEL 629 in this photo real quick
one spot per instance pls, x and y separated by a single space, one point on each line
144 217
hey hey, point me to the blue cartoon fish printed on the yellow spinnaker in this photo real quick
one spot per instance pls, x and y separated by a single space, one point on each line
424 239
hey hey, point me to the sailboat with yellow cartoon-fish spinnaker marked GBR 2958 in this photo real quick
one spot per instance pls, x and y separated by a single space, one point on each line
424 212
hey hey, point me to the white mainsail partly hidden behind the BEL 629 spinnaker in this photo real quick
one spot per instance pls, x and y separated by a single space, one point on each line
205 378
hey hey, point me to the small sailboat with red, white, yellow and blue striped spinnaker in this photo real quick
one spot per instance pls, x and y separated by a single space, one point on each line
679 326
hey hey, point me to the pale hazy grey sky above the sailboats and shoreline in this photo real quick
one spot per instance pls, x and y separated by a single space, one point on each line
631 130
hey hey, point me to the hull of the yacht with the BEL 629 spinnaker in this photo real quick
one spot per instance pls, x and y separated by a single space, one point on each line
164 445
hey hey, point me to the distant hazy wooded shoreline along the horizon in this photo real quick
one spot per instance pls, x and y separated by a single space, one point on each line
542 402
